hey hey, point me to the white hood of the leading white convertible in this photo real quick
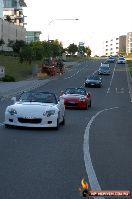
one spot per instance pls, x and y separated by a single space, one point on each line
32 108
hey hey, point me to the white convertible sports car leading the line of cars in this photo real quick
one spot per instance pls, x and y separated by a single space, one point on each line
36 109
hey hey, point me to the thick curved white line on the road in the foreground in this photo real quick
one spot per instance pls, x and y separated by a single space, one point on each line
94 184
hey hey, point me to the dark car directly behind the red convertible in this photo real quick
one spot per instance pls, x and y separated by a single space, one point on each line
93 81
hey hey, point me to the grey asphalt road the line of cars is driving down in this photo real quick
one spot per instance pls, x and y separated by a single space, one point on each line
94 143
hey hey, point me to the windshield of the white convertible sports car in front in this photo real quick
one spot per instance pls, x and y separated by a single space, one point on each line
43 97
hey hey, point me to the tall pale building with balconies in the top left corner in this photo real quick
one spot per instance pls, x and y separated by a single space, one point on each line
14 9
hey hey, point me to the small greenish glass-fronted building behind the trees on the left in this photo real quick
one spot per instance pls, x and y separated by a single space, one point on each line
32 36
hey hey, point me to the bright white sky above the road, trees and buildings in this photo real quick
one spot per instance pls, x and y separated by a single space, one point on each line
98 20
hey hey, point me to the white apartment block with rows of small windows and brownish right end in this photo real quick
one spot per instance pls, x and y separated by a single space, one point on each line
115 45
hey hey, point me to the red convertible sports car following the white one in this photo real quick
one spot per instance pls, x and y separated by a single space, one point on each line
76 98
